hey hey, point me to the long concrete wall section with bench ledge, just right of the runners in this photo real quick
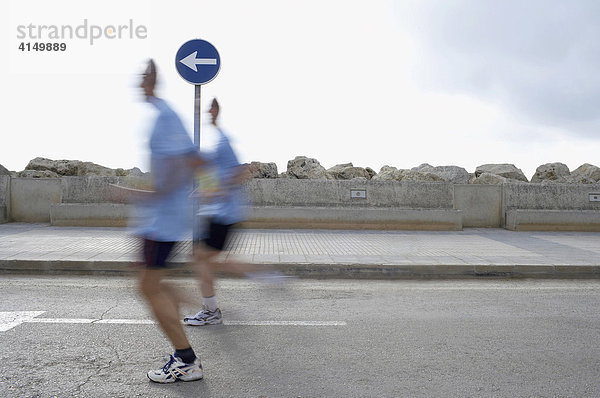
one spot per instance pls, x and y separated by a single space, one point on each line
283 203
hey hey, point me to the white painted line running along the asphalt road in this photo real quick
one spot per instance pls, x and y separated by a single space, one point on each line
9 320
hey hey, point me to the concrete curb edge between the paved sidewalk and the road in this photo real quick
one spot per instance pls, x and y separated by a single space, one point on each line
337 271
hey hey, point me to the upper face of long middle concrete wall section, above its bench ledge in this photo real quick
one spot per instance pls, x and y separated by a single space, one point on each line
336 193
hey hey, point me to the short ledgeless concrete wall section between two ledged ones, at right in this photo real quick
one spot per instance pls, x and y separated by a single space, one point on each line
481 205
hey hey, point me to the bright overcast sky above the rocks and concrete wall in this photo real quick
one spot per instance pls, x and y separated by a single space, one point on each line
378 82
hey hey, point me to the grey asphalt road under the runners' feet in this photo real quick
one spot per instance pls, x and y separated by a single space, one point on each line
92 337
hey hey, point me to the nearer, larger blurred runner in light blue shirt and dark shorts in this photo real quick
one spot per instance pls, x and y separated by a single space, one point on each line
168 220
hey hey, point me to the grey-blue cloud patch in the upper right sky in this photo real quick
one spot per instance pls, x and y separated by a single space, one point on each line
538 58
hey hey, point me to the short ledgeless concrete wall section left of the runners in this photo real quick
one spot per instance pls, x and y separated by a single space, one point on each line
31 198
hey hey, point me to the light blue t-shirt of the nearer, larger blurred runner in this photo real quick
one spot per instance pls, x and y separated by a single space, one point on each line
168 217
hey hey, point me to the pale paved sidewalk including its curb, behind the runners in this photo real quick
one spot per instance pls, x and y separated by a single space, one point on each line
40 248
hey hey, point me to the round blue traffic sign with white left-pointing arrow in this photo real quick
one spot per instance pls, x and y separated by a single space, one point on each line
197 61
